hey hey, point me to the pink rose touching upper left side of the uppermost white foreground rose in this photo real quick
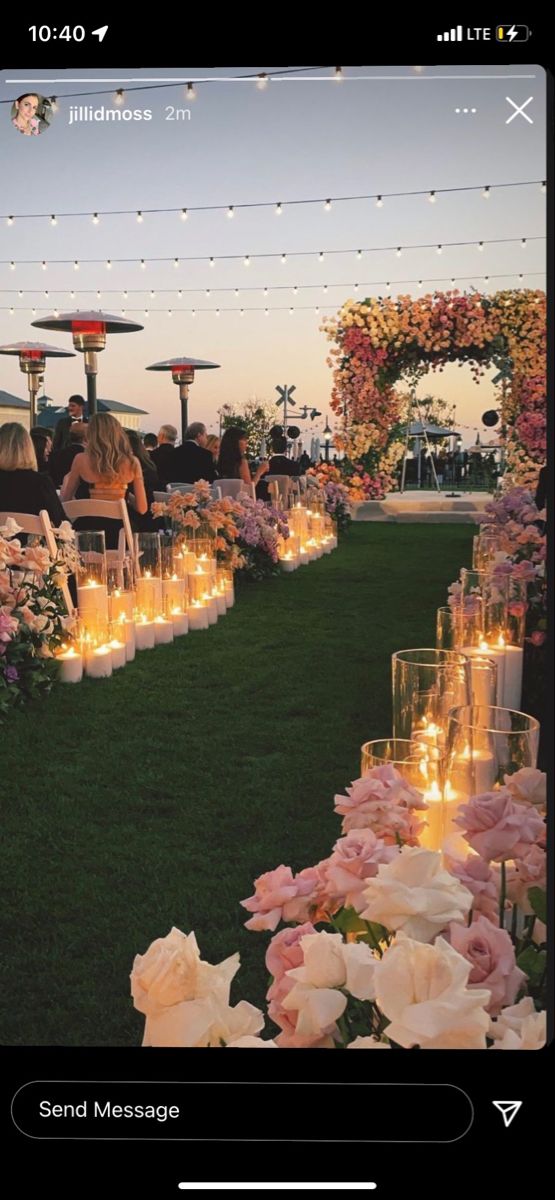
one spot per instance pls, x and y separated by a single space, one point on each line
355 860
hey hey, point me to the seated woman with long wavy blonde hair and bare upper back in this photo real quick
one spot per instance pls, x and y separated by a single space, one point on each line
110 467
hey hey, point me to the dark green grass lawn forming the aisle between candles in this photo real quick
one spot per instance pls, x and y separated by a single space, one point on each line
156 799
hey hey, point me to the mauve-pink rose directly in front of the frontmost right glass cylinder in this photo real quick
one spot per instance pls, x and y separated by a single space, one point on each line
498 829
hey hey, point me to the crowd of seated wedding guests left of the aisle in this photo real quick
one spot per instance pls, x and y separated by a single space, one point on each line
97 459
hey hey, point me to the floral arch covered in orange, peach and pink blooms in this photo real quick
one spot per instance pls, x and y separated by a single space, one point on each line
384 345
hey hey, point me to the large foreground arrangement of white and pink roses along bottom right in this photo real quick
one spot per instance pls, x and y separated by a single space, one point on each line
381 946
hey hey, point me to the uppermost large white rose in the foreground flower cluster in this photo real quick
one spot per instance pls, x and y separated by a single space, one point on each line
415 895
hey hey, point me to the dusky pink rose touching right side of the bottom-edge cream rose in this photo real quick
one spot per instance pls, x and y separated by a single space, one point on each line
492 956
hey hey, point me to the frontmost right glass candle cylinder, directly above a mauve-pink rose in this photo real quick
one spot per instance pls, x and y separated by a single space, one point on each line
487 743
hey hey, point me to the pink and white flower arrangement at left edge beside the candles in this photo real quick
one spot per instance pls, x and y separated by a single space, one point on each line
33 614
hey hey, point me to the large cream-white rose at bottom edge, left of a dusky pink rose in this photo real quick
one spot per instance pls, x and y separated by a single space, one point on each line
422 991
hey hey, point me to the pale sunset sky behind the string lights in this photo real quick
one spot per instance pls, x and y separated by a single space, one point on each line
299 140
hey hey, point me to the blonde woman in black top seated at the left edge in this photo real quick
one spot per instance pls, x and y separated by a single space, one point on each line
23 488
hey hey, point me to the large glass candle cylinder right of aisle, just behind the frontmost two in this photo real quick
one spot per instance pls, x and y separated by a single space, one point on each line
427 683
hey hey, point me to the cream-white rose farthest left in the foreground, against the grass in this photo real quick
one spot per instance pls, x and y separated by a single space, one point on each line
172 971
